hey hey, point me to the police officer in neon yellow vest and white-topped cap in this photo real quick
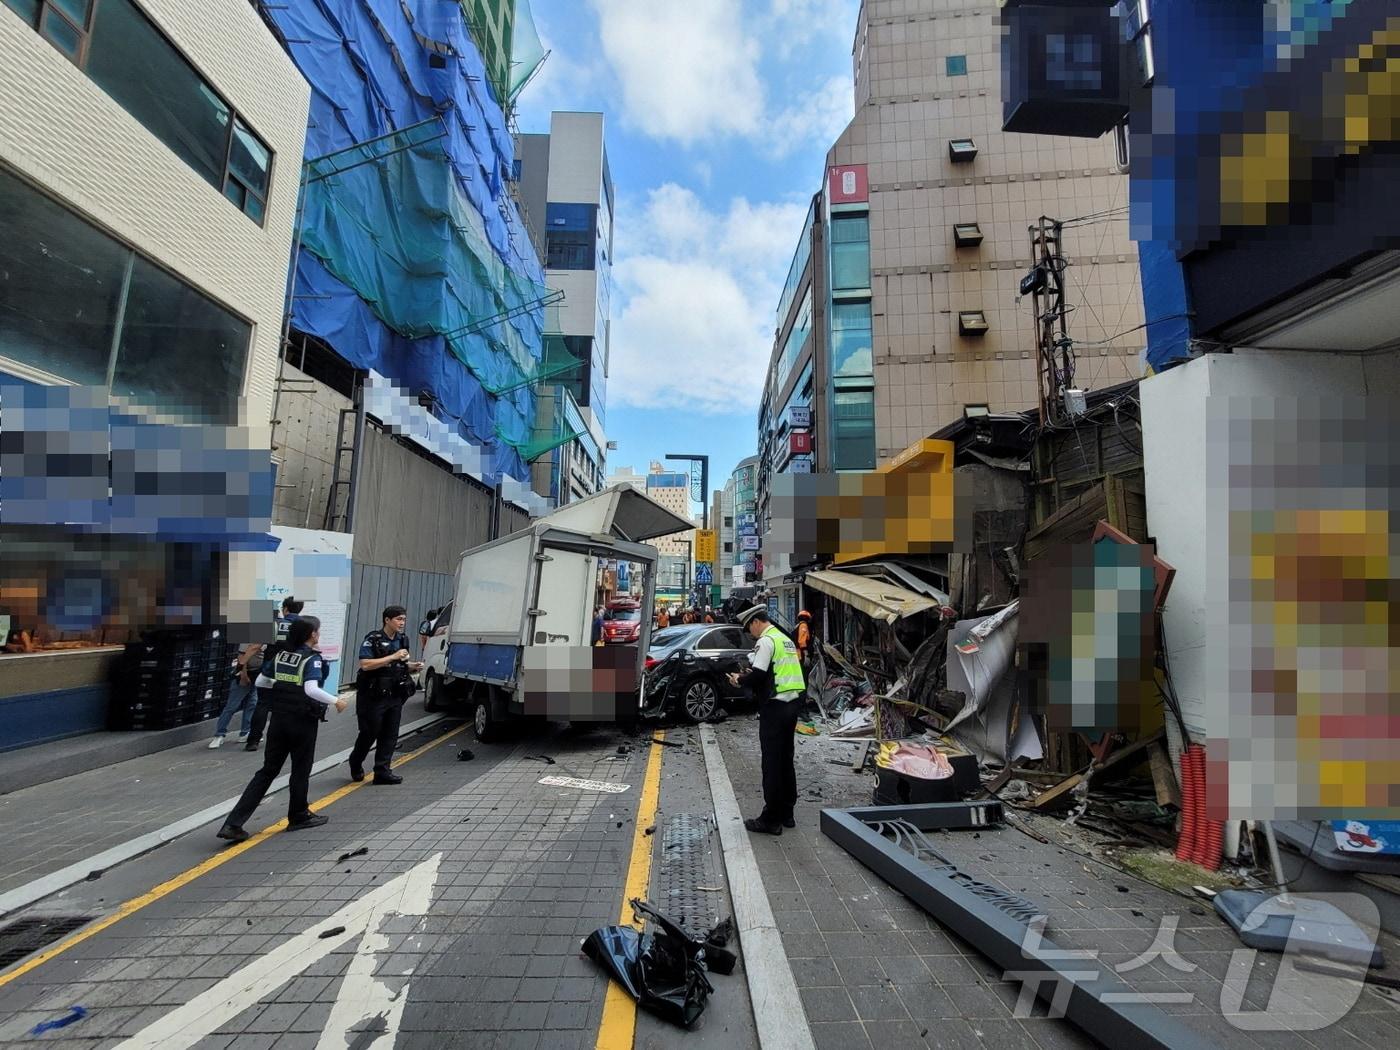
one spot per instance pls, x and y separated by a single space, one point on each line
775 678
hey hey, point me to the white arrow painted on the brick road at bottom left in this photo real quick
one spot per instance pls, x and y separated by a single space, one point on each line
362 999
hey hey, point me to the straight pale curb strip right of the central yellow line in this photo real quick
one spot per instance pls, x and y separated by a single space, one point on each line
778 1009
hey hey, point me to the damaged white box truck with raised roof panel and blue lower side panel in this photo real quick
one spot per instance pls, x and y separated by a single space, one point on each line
535 590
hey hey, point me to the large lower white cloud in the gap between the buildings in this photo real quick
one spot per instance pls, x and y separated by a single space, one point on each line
696 295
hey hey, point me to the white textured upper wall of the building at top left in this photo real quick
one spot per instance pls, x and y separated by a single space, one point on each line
62 132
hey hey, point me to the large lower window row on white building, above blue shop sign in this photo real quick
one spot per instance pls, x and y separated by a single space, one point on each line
85 309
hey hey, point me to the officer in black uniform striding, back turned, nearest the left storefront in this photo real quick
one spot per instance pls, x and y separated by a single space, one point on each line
299 705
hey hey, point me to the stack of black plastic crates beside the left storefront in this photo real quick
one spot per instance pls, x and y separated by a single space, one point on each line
176 677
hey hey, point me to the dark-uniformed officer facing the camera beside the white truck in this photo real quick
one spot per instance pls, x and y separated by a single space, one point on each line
383 687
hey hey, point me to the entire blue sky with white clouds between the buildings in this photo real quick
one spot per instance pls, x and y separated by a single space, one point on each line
719 115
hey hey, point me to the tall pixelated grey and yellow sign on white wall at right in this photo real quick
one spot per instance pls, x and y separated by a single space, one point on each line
1303 722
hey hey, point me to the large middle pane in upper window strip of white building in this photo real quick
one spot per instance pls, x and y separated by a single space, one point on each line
138 66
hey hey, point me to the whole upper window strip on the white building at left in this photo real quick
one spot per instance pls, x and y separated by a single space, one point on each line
132 61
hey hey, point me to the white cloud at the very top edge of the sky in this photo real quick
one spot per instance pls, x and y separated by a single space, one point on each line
688 69
